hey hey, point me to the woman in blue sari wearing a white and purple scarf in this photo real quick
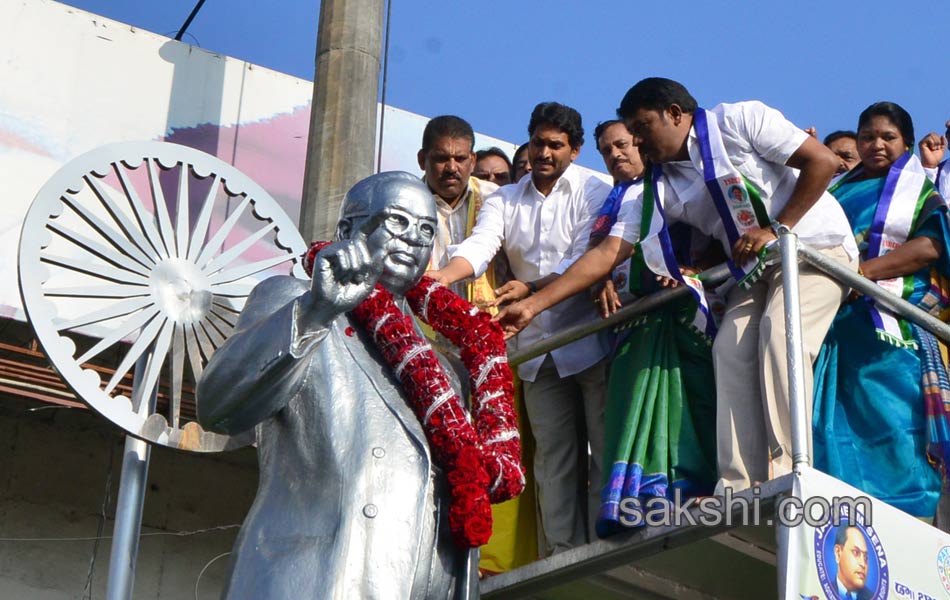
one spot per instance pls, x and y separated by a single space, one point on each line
880 381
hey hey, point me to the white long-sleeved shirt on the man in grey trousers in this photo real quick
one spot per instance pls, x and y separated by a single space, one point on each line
540 234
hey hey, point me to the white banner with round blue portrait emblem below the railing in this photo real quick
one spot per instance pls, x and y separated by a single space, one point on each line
854 547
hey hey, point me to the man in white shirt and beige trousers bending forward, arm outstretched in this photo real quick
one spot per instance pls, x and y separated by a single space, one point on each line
787 172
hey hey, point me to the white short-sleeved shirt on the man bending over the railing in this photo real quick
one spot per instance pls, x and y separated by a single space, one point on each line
759 141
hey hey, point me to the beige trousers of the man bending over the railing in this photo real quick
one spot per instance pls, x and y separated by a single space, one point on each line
753 417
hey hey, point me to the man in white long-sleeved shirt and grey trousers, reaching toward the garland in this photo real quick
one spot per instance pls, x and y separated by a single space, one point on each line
539 223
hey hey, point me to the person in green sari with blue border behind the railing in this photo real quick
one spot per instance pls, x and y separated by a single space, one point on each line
660 416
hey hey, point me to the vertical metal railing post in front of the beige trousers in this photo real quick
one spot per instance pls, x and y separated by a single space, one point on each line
788 243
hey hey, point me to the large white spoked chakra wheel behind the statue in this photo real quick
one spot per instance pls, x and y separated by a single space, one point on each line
135 260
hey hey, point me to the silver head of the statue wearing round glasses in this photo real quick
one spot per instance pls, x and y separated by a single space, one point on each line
402 232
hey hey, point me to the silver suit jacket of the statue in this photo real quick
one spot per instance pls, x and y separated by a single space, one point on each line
350 504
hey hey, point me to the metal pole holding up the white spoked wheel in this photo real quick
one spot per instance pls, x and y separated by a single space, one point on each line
130 501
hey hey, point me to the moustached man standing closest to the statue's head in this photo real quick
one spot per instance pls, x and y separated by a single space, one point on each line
447 157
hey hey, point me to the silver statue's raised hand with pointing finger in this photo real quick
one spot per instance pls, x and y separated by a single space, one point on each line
344 273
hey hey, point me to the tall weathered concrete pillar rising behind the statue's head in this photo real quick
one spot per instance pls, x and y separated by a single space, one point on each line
343 114
